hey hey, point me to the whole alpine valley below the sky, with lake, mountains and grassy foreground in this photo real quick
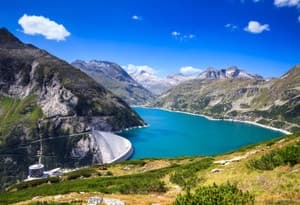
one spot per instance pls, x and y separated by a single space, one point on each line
74 116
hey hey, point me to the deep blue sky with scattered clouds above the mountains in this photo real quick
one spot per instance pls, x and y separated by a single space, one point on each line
164 35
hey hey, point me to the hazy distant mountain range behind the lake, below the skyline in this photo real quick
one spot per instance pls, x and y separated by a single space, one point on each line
140 86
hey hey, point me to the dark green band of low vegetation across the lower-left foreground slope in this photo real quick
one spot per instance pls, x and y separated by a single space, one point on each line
142 183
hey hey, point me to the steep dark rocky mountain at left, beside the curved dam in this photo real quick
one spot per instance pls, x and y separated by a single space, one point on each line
43 97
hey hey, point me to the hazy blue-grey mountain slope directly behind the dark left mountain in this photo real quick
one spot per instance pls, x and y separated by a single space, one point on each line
115 79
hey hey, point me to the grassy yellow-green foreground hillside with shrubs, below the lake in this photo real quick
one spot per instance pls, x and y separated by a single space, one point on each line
267 173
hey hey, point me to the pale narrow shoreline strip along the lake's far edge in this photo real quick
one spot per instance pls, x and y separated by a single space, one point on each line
214 119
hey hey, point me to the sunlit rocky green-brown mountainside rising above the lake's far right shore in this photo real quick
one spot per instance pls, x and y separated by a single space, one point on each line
274 102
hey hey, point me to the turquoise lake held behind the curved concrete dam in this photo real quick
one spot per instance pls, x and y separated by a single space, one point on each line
173 134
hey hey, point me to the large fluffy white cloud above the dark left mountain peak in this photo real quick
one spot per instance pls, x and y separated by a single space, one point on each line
40 25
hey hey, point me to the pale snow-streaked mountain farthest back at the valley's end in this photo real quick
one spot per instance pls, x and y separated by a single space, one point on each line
155 84
